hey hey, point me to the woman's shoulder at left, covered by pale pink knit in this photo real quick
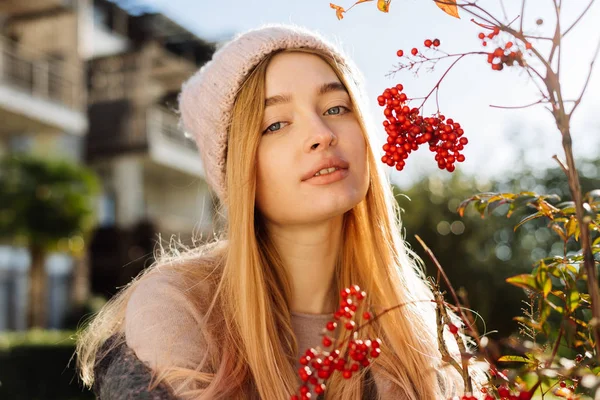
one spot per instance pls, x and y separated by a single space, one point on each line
165 313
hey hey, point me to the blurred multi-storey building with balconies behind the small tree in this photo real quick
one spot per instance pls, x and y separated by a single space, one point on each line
93 83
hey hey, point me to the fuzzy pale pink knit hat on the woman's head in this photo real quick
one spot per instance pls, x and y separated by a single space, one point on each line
206 99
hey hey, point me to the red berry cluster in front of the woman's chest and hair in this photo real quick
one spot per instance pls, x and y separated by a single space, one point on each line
318 365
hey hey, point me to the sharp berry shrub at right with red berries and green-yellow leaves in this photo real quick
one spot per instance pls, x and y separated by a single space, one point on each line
579 219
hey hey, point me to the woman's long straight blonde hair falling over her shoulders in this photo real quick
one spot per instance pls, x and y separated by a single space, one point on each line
251 290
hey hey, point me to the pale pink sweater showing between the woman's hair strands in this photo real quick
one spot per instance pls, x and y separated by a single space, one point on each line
161 328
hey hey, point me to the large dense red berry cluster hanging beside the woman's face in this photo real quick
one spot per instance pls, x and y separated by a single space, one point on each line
407 130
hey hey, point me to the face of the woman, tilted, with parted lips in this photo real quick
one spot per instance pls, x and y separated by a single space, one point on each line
308 125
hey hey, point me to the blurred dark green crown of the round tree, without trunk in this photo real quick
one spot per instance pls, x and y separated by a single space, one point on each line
45 200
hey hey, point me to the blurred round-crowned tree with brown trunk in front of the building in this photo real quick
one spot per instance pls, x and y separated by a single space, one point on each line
45 205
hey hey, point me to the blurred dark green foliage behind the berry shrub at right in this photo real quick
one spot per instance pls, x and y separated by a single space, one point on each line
479 254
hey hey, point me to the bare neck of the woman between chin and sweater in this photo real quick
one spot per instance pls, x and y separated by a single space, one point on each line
310 254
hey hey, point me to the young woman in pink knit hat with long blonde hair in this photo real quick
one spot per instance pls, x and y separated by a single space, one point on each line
279 118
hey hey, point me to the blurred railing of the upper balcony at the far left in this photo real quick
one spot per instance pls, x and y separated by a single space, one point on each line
38 76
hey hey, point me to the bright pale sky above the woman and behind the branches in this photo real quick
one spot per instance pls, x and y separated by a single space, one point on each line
500 140
